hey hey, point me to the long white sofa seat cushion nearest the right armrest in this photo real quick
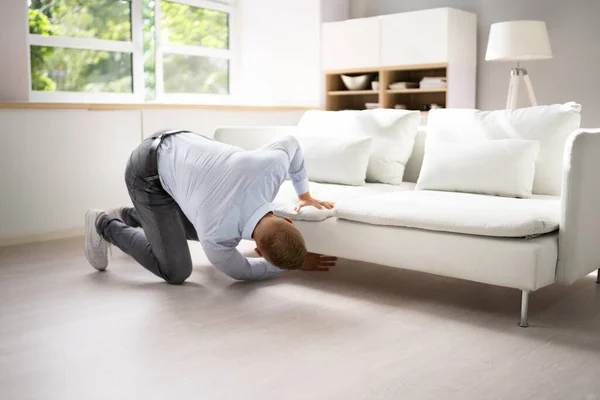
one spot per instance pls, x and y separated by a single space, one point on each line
456 212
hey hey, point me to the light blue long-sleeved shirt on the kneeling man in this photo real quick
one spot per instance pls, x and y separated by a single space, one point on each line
224 191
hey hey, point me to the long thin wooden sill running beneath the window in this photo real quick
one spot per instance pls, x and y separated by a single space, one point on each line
142 106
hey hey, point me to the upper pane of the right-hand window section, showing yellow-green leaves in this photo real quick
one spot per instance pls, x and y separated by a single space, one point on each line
194 26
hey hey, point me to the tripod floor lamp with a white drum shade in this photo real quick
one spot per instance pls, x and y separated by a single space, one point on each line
518 41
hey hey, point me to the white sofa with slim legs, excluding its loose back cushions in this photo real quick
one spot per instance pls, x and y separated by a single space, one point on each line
524 244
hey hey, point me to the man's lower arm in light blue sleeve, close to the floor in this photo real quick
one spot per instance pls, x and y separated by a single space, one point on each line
233 263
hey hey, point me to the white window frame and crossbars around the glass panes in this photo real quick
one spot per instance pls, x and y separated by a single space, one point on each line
136 48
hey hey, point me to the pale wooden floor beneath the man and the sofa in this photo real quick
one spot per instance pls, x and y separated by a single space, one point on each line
361 332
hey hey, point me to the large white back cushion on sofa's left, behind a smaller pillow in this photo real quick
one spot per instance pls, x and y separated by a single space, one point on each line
393 133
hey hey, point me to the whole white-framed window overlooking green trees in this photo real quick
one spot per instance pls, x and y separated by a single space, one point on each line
129 50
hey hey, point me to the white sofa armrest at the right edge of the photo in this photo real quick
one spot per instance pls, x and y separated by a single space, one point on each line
579 234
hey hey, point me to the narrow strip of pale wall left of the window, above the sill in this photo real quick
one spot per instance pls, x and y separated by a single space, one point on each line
14 71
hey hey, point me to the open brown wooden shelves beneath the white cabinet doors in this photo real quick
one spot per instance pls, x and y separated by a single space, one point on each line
337 97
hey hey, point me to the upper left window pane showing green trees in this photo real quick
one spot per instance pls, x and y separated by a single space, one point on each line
99 19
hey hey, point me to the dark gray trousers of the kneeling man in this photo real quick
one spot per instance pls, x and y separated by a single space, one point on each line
162 246
